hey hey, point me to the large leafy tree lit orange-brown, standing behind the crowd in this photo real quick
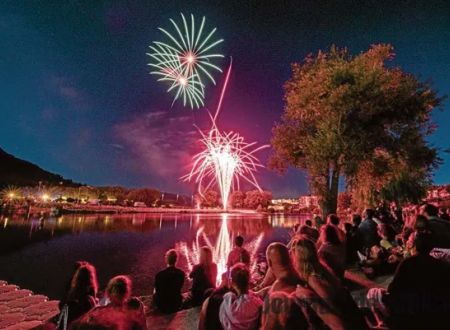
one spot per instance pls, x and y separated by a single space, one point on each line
345 114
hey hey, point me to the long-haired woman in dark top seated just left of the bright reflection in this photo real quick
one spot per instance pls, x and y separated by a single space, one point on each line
203 277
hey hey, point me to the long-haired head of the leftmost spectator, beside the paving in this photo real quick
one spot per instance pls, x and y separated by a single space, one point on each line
84 281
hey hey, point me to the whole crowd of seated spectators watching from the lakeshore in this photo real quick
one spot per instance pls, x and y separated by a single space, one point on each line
304 287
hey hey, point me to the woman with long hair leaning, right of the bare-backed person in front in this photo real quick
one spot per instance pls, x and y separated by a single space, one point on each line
324 285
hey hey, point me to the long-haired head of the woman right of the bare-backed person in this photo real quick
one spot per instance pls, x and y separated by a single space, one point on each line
305 257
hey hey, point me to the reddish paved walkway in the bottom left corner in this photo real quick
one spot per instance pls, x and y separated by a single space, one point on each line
21 309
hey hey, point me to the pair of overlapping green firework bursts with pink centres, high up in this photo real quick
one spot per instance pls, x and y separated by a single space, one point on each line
186 59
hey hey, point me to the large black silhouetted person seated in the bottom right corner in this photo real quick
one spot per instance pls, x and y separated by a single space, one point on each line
419 295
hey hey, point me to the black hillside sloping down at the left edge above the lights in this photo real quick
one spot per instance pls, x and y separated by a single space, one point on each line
18 172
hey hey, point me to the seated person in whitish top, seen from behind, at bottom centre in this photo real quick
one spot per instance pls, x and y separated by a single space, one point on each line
241 308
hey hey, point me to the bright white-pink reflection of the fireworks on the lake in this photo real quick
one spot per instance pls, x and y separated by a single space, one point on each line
220 250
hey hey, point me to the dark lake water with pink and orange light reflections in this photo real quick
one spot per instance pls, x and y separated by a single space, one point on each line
39 254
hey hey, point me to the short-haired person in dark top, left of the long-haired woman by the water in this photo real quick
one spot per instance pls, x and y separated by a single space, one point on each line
168 285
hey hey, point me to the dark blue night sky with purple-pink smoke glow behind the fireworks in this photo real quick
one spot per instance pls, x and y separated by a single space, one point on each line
76 97
